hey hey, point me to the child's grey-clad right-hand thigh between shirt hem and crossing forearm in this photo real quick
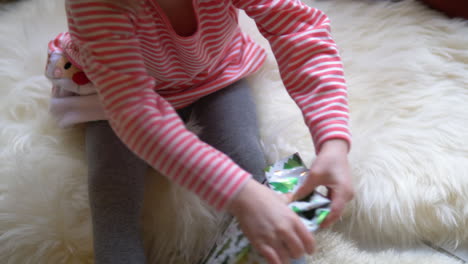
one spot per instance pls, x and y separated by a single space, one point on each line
229 124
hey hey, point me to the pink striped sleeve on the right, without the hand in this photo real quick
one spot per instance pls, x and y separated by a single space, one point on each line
308 61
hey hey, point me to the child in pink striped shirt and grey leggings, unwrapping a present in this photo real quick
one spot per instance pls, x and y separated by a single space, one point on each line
152 64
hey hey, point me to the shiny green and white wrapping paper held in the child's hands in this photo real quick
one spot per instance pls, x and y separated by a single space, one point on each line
284 176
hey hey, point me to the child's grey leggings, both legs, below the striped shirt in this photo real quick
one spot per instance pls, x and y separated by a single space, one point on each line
116 175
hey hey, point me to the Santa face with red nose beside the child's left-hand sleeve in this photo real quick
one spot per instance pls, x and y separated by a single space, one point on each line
67 79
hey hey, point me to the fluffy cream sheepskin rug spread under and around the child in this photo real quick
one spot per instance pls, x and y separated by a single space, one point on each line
407 69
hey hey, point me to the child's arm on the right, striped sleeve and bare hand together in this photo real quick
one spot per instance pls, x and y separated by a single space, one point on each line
312 72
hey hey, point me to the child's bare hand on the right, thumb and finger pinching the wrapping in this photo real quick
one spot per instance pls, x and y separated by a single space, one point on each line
330 169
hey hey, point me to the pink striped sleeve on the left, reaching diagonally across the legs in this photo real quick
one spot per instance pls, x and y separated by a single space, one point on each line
142 119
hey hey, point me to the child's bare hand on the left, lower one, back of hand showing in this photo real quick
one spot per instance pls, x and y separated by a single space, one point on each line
272 228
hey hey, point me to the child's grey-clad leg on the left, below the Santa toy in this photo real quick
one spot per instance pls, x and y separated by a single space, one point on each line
116 185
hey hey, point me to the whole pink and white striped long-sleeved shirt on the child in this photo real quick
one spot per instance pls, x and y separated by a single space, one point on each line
143 70
